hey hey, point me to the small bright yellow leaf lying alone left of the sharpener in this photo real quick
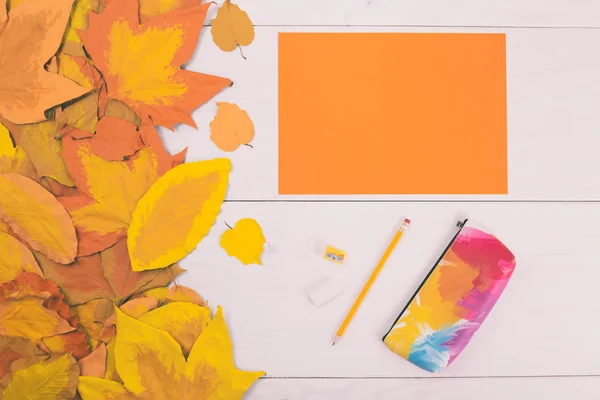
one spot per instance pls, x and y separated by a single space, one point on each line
244 242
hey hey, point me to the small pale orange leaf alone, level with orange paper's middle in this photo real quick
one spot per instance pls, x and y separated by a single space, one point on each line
231 127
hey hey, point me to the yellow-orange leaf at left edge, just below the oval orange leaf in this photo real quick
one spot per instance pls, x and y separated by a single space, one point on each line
15 258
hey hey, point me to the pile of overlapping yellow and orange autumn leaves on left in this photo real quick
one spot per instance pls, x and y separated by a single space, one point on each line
94 212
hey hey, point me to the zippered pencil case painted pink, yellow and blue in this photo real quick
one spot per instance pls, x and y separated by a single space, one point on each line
453 300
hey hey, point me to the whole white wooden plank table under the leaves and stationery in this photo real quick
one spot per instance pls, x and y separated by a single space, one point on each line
541 340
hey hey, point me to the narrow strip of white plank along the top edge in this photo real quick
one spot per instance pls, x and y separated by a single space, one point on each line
425 12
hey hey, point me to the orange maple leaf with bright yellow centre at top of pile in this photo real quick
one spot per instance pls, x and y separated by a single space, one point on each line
141 63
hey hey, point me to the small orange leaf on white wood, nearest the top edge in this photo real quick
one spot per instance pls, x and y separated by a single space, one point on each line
231 27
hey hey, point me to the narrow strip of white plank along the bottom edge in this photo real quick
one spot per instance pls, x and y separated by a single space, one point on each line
425 389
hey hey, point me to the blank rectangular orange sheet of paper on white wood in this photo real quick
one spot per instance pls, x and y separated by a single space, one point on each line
392 113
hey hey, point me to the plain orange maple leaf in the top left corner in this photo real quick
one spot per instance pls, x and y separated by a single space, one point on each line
29 36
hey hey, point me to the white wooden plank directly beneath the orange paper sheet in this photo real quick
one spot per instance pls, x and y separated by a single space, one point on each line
553 121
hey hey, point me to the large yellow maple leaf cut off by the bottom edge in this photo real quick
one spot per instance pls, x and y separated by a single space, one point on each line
152 366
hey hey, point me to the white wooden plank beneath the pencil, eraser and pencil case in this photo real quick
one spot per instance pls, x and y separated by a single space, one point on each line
542 325
